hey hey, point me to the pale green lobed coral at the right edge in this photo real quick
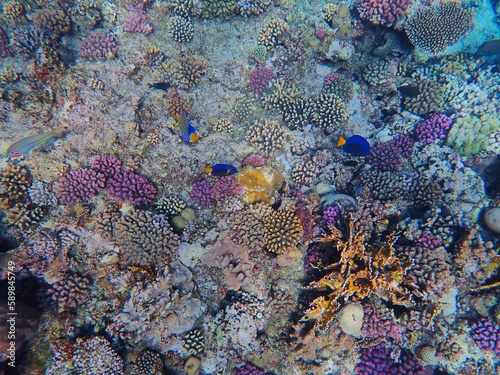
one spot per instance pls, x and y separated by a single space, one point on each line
472 134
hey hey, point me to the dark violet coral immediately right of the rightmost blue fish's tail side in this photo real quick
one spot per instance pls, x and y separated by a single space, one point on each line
387 156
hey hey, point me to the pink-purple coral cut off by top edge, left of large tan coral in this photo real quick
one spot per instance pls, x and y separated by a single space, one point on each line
382 12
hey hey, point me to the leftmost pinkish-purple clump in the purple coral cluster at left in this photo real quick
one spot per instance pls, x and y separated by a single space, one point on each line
80 185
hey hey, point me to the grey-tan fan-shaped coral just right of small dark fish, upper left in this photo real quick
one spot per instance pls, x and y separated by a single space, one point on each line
186 72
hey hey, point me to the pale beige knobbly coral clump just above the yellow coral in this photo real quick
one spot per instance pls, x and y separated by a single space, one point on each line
267 136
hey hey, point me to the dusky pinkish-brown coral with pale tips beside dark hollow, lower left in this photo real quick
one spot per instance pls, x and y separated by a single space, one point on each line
71 292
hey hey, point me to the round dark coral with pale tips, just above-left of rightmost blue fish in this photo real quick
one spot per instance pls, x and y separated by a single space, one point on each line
329 112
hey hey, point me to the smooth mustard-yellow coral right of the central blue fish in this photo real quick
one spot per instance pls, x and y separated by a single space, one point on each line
260 183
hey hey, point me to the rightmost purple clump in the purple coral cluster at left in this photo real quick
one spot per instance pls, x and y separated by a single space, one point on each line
131 187
